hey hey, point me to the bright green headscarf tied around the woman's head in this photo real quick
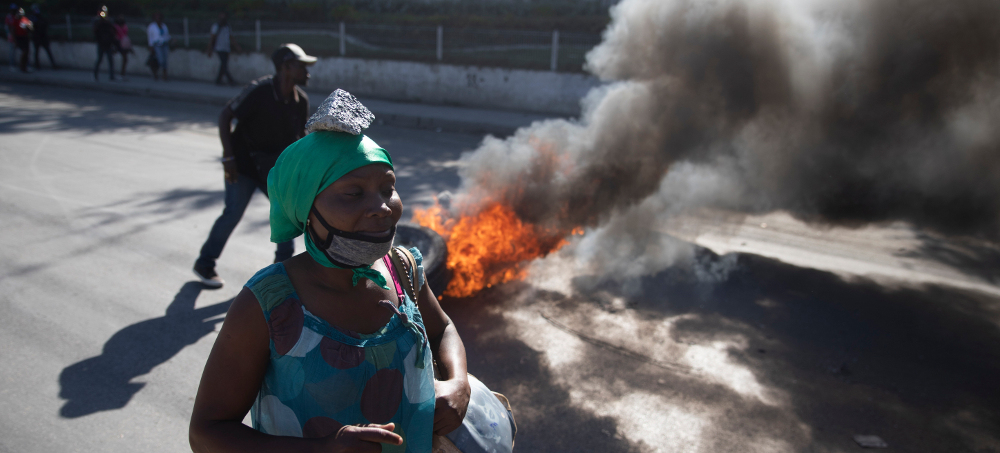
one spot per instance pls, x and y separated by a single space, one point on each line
302 171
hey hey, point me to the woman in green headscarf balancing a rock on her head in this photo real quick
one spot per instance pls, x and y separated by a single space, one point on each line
326 350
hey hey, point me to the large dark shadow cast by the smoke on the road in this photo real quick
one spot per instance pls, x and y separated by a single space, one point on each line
916 365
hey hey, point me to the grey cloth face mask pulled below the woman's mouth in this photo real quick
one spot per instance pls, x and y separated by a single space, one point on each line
351 250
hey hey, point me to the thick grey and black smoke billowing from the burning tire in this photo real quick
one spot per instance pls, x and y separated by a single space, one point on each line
840 112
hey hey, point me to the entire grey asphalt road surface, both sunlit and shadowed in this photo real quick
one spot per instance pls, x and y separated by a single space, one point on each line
804 339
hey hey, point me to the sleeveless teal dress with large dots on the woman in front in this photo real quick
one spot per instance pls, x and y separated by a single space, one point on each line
321 378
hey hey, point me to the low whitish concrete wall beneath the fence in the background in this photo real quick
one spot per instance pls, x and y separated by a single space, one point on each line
472 86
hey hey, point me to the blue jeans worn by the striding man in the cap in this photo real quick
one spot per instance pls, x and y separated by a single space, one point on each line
237 198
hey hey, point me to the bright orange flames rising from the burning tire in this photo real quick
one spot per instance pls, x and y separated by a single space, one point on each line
489 247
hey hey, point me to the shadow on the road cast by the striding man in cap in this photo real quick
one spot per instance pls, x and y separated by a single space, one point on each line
103 382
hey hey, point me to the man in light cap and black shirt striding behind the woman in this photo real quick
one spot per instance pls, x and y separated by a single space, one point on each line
271 114
